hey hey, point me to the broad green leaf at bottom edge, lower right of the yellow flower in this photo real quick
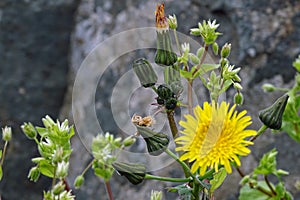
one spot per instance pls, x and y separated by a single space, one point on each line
247 193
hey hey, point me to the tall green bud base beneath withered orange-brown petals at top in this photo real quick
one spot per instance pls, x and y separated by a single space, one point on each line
164 55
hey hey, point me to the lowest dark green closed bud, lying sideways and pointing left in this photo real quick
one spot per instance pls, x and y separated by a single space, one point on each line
135 173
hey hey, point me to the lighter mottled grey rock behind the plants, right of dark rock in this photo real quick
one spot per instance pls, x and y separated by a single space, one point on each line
265 40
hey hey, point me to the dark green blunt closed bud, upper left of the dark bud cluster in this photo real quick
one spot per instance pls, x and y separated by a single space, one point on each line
144 72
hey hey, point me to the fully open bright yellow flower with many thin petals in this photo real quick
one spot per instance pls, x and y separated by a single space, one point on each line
215 136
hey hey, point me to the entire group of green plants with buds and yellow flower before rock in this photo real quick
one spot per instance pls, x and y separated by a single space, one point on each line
211 138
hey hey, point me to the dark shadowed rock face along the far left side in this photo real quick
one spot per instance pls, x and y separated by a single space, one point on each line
34 47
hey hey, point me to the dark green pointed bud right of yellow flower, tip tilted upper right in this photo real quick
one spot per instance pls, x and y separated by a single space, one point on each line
272 116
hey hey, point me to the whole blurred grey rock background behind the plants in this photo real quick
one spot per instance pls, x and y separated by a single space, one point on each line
43 43
